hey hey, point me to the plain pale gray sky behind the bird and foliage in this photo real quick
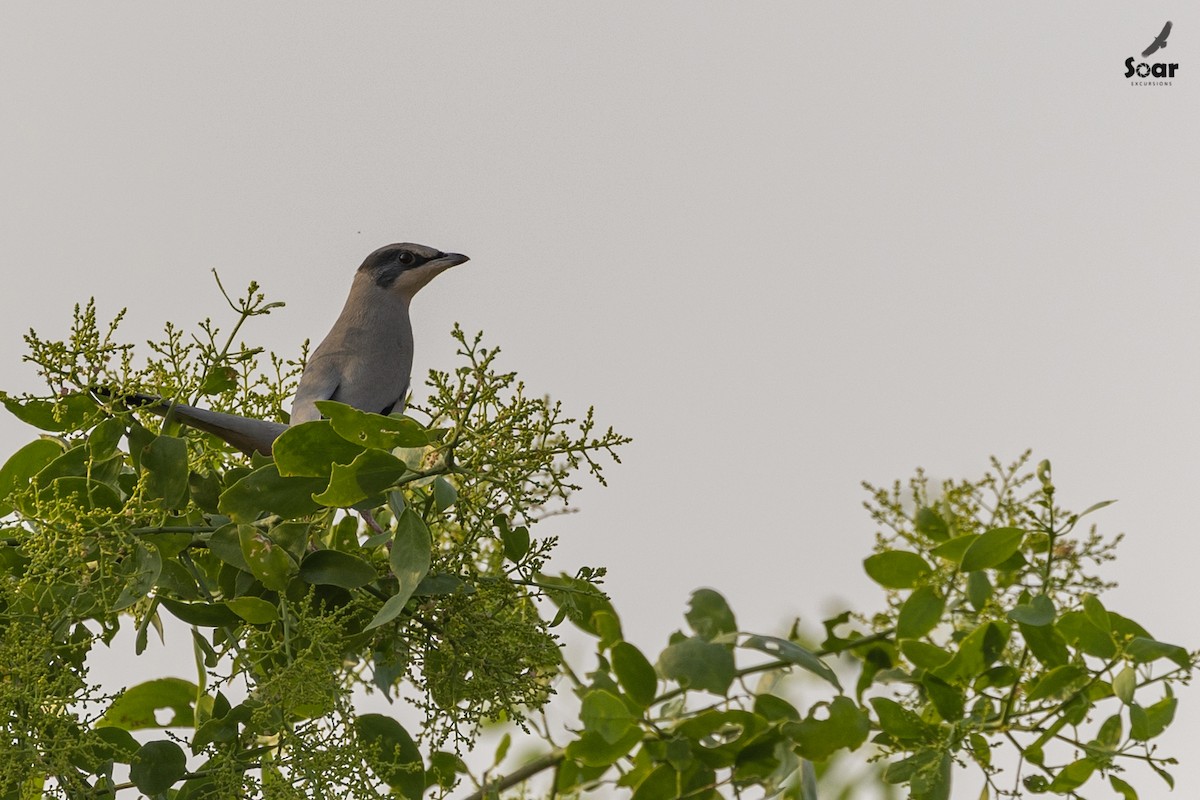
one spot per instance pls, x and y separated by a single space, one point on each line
785 246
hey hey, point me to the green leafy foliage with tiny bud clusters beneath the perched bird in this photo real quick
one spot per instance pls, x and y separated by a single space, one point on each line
992 637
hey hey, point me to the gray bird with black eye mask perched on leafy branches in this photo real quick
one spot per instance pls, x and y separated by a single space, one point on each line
365 360
